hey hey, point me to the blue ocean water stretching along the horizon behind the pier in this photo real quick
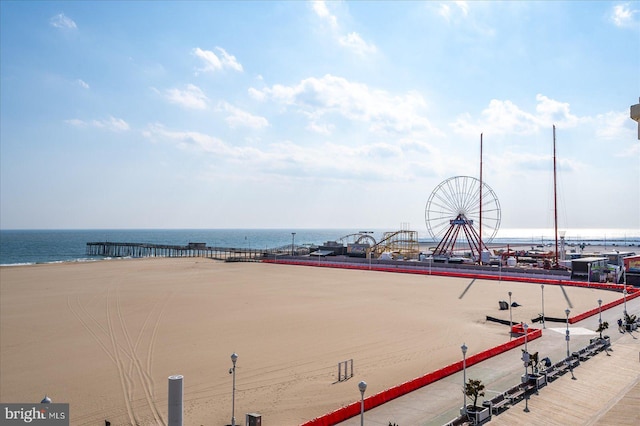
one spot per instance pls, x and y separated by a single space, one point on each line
23 247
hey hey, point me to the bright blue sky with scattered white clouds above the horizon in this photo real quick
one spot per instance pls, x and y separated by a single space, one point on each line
315 114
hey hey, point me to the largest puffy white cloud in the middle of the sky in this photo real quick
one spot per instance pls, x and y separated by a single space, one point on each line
321 98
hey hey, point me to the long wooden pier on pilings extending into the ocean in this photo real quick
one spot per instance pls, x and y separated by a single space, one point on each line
229 254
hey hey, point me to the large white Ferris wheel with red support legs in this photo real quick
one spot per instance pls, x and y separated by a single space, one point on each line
455 204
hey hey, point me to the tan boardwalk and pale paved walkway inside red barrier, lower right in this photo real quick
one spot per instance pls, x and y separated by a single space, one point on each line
606 390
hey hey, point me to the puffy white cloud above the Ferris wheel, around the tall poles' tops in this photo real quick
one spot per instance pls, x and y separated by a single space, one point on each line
504 117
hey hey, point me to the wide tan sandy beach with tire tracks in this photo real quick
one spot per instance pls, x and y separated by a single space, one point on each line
104 336
